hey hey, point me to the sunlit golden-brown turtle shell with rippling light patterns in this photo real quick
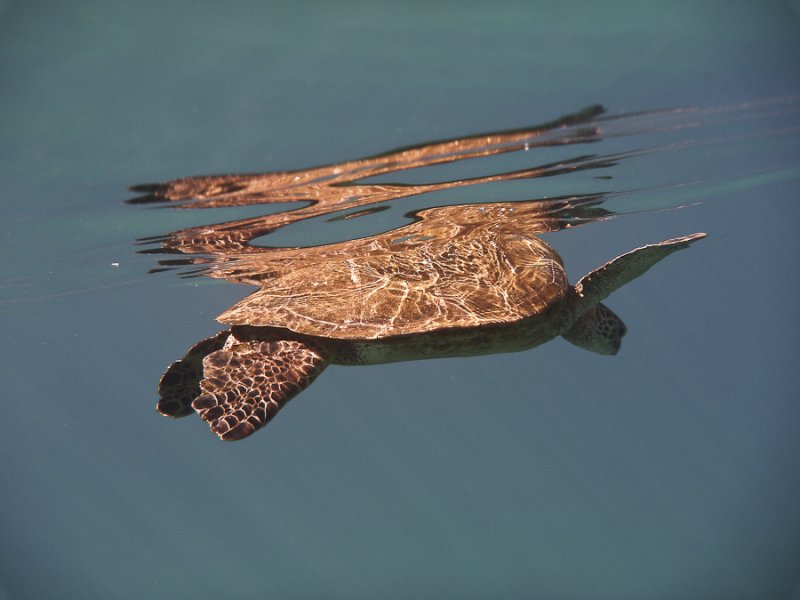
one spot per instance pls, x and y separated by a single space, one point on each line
431 275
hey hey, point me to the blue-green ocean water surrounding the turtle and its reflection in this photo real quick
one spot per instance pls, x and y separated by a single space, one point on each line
671 470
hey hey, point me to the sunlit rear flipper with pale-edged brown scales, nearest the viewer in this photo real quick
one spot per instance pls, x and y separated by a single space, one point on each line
246 383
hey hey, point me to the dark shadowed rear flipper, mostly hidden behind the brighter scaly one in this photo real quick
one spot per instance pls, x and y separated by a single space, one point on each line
180 383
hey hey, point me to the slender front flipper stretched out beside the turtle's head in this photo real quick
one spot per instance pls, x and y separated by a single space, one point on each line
594 287
